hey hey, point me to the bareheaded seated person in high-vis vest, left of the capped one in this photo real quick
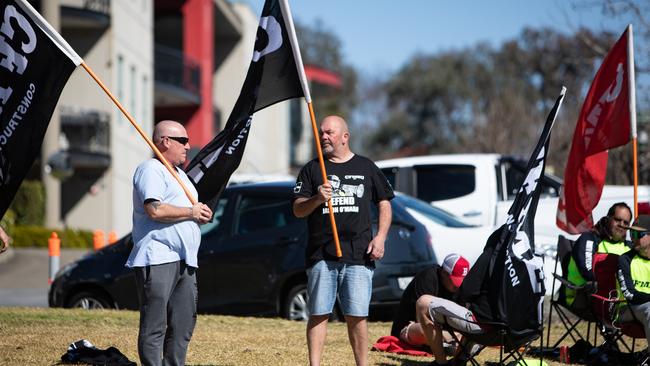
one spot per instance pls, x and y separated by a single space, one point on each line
607 236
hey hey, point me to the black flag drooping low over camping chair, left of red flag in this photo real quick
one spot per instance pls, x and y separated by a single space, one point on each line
506 284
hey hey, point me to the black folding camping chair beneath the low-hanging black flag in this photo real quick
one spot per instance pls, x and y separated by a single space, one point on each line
499 335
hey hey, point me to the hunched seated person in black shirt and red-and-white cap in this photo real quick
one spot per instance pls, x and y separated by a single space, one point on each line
437 281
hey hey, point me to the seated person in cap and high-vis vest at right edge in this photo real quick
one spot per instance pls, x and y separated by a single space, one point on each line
634 275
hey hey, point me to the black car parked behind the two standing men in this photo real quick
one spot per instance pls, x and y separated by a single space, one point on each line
251 260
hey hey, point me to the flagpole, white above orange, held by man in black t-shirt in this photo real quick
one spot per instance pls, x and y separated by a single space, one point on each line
286 10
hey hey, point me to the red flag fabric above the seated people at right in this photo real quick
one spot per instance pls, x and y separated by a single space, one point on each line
604 123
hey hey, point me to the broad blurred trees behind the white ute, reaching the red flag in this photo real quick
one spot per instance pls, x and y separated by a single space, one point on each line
483 99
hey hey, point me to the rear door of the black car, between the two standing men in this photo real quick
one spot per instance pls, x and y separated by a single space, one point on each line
264 233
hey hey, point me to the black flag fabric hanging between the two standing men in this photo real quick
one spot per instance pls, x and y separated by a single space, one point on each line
272 77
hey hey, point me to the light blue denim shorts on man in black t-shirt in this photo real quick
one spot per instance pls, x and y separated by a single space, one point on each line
353 283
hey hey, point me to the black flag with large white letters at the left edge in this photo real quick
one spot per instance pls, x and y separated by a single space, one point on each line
35 64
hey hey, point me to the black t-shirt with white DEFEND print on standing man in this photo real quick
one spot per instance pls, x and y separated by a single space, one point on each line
356 184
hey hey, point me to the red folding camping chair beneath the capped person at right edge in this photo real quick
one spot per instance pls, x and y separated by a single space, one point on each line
607 305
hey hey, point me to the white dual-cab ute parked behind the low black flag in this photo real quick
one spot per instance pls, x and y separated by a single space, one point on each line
480 188
